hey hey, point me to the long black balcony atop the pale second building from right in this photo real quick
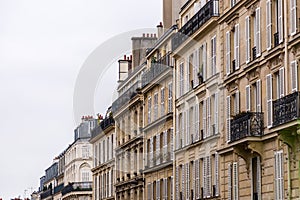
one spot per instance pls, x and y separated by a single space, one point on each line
209 10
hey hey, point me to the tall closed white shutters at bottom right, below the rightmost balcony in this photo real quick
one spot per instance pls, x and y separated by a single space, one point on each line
279 182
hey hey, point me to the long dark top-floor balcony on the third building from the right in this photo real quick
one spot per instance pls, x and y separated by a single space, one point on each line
156 69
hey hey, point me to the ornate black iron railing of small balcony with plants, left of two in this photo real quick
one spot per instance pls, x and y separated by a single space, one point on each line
245 125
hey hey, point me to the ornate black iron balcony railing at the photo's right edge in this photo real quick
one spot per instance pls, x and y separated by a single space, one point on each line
286 109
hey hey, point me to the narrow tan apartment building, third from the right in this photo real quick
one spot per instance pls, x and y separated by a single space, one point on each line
157 91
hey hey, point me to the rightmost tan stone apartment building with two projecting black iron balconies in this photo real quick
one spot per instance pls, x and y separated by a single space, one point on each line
258 158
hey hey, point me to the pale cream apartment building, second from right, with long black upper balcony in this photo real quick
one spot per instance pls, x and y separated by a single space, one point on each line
198 104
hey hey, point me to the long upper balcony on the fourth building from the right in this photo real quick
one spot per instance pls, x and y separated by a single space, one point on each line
125 97
